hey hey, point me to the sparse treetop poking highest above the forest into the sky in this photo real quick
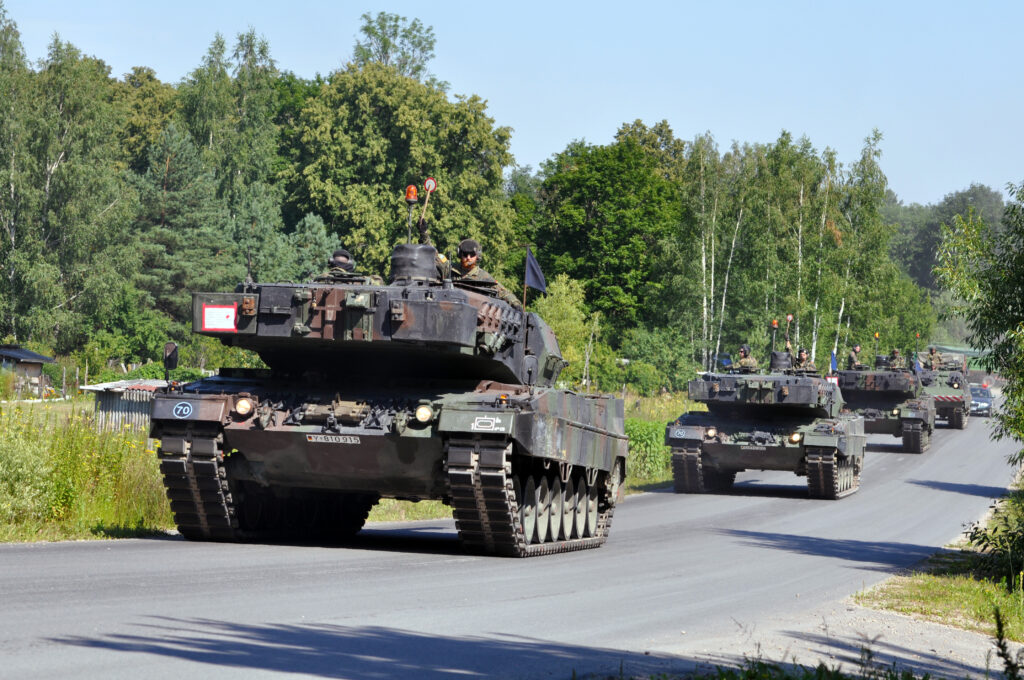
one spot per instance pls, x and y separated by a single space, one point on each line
394 41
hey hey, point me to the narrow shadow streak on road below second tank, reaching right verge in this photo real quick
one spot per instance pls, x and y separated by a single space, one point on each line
886 557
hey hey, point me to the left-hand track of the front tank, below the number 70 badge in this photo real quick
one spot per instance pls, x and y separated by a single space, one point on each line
193 466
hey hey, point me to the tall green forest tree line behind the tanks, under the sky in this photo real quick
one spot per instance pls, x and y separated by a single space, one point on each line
121 196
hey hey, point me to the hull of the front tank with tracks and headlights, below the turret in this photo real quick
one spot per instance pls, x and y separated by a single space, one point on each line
378 448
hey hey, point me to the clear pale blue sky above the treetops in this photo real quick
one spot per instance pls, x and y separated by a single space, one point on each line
942 80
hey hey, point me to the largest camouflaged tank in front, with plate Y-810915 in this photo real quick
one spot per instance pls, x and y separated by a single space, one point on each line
420 389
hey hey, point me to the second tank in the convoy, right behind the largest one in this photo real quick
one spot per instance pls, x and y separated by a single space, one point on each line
787 420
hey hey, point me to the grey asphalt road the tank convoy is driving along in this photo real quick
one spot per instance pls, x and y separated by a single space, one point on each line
679 574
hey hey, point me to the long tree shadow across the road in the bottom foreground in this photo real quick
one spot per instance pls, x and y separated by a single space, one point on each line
371 653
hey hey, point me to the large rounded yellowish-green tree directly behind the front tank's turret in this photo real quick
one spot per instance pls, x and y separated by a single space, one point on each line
369 134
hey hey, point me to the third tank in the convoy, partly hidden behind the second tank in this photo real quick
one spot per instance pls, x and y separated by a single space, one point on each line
892 402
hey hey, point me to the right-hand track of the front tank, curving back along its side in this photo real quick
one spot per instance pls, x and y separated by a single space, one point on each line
487 509
